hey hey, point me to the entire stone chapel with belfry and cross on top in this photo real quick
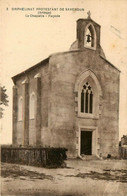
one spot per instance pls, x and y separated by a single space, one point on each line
70 99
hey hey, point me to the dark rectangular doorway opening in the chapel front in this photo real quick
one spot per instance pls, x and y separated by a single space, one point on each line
86 142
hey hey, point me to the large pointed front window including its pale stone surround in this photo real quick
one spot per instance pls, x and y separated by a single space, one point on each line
88 95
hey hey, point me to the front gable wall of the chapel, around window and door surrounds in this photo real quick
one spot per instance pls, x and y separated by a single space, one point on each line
64 121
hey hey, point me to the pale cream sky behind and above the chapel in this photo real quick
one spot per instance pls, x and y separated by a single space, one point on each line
26 40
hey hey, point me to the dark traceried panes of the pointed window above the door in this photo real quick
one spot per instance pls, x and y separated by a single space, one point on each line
87 98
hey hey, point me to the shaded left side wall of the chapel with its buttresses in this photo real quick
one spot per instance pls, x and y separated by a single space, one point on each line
33 137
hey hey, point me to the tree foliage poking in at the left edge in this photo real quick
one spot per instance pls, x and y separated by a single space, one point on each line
3 100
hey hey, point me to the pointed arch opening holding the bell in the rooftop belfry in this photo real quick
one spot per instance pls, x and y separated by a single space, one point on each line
90 36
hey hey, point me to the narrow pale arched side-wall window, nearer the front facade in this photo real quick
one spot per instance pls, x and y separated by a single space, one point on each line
32 106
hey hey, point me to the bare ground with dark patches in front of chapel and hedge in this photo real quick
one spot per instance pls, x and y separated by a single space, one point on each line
80 178
